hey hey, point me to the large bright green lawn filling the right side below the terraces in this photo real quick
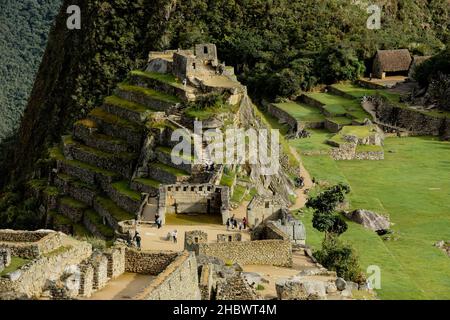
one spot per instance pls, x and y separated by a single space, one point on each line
412 185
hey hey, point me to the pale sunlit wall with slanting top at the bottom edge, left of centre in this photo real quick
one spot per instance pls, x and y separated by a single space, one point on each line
178 281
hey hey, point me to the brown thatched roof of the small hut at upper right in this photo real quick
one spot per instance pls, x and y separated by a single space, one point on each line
393 60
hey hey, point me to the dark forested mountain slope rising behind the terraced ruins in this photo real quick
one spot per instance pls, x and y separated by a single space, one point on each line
278 47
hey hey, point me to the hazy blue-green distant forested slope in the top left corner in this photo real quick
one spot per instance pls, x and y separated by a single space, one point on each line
24 26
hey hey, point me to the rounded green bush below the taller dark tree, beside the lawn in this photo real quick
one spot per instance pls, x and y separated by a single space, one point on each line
340 257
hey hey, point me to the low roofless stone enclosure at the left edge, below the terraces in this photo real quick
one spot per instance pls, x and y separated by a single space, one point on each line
29 244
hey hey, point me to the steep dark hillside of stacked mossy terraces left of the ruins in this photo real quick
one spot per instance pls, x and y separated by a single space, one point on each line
98 176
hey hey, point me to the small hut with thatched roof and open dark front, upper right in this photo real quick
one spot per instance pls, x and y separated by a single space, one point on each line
391 62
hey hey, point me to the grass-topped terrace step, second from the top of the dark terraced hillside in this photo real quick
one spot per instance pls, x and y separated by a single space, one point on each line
147 97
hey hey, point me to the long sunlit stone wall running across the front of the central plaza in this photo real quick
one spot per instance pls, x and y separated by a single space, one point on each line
264 252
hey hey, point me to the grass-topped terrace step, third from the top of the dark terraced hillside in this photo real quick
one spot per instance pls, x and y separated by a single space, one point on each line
126 109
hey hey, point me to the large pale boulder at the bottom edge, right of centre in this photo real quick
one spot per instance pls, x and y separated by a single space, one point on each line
300 289
